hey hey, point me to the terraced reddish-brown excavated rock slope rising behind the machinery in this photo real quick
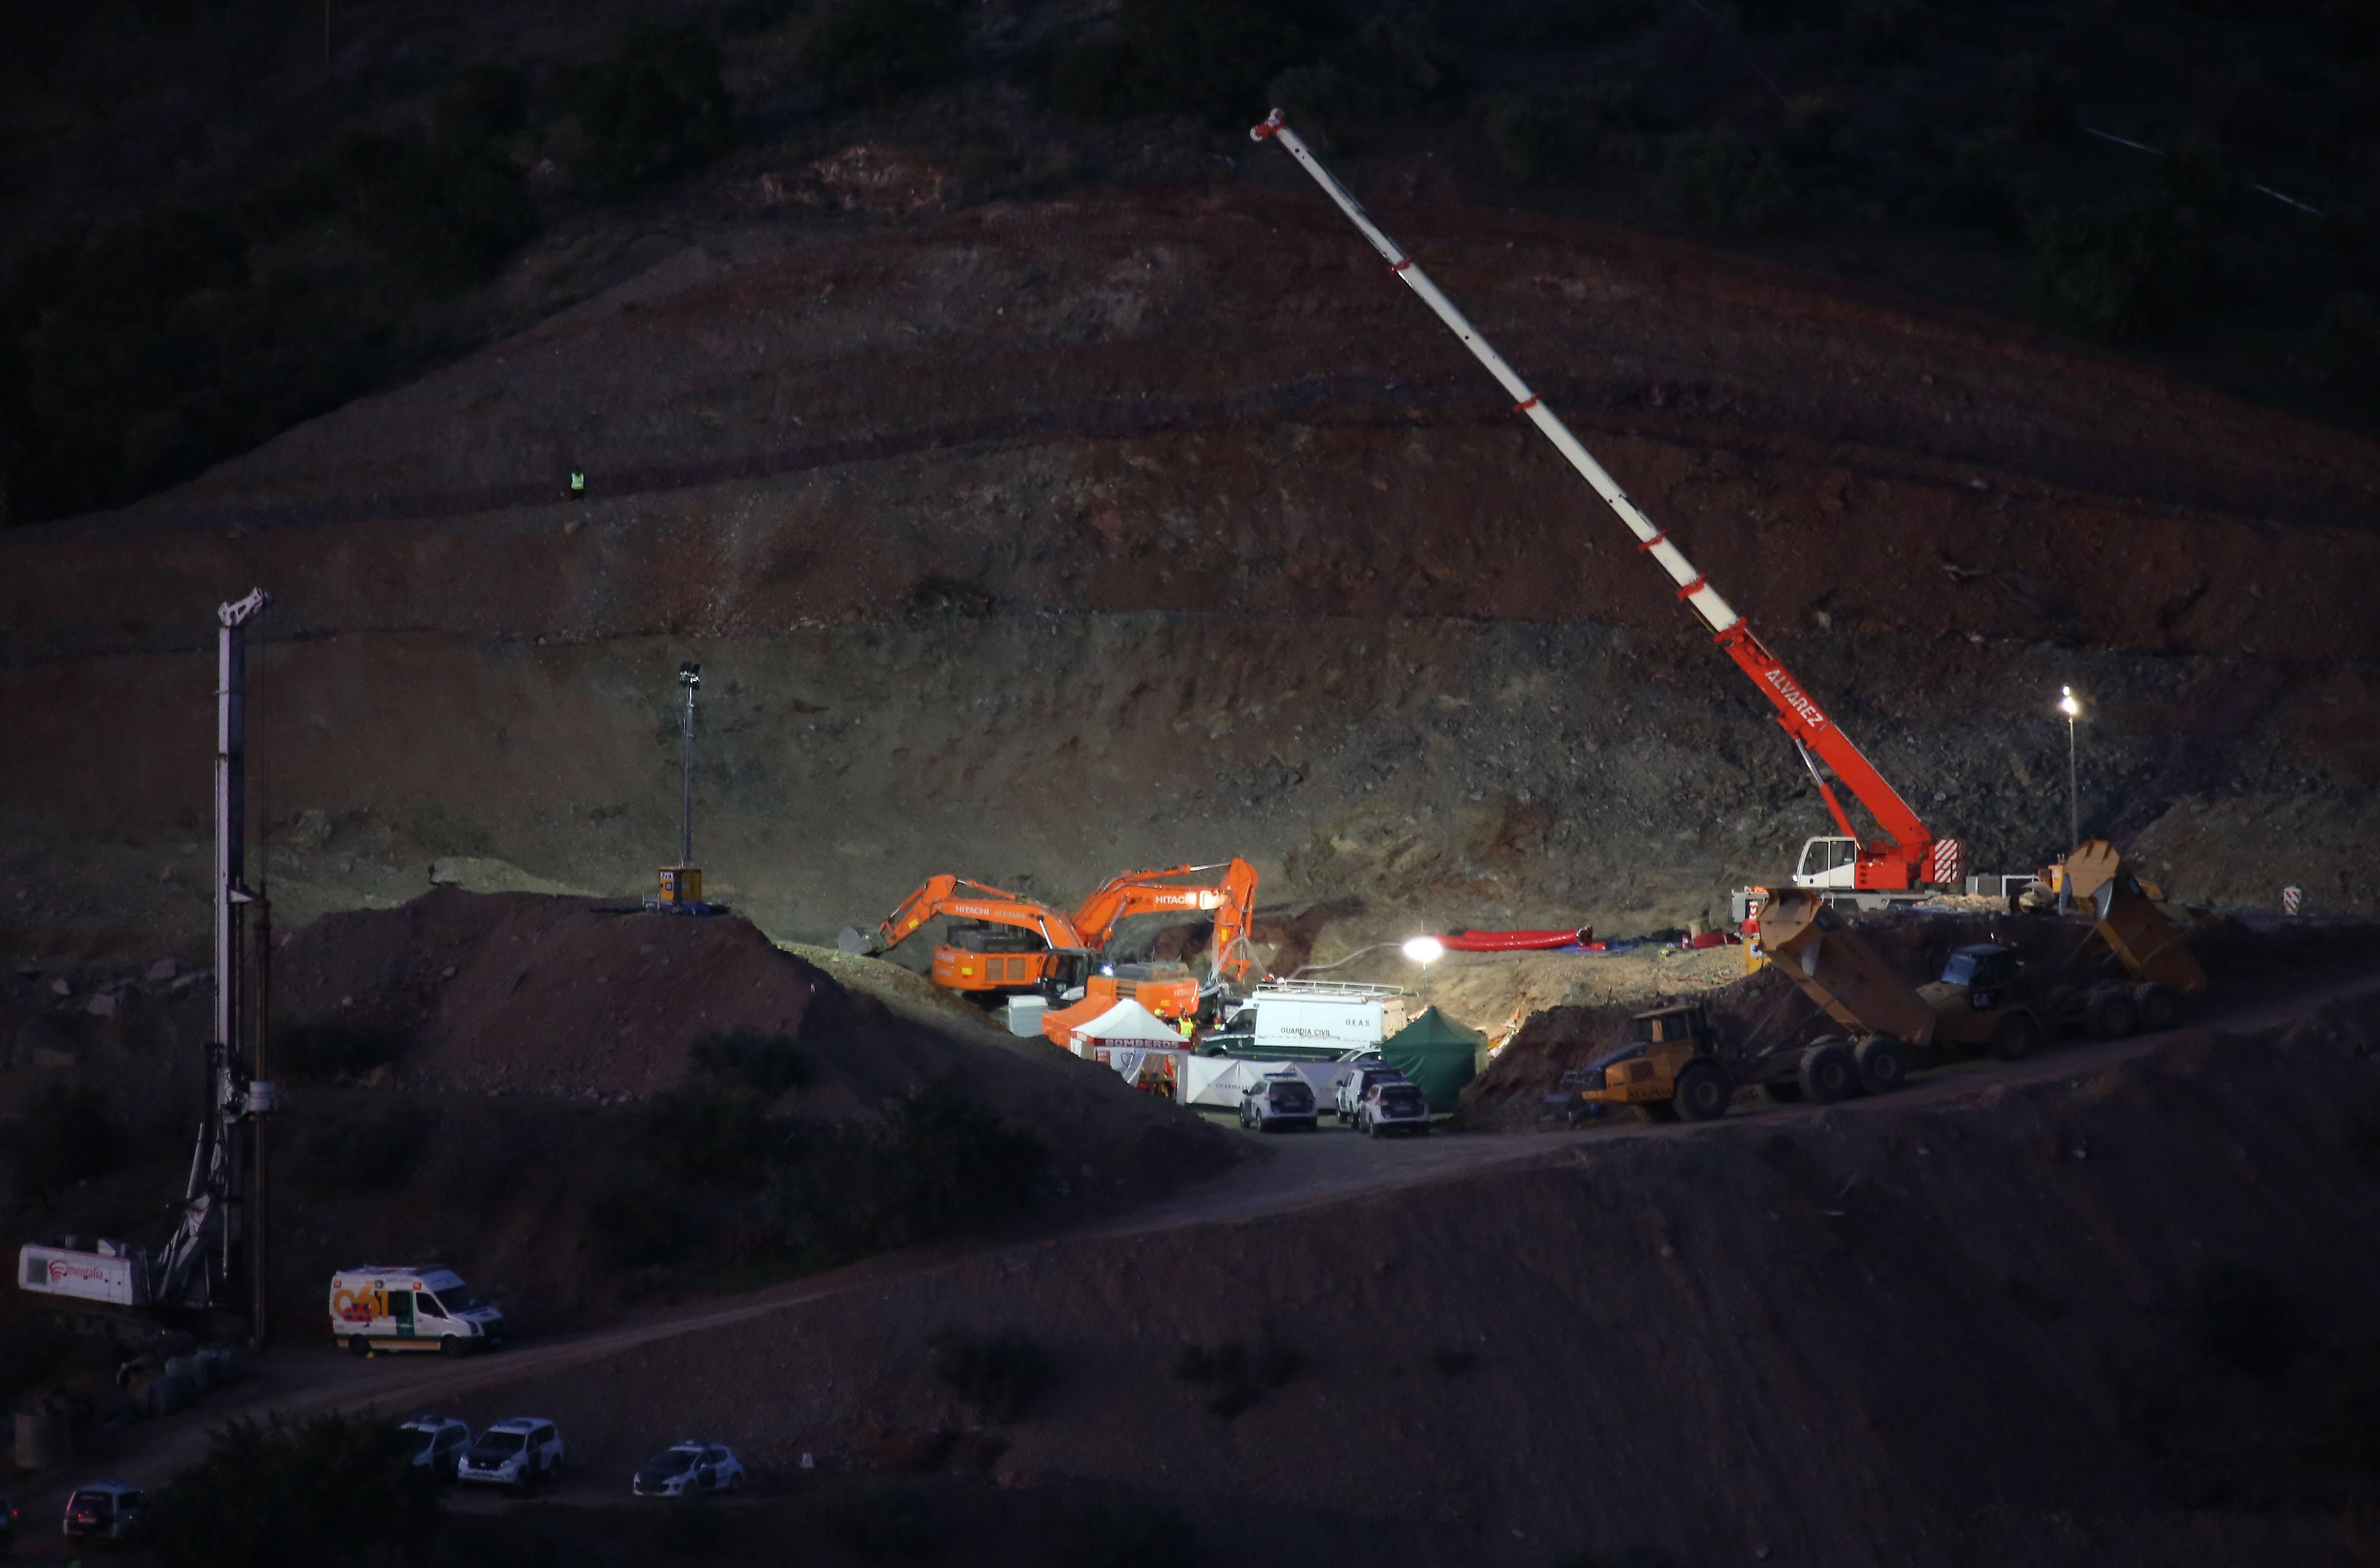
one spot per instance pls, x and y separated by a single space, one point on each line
1044 541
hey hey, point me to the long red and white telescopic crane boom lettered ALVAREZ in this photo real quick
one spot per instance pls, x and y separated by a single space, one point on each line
1800 717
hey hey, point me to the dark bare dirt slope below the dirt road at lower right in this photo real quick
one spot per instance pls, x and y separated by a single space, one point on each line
2117 1317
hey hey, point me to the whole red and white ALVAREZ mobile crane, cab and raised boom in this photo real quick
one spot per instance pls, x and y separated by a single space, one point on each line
1846 870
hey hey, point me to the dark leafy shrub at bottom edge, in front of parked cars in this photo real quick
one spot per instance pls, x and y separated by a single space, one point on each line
296 1495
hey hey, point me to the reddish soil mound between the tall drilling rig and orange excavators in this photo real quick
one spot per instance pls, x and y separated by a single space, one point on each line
530 993
